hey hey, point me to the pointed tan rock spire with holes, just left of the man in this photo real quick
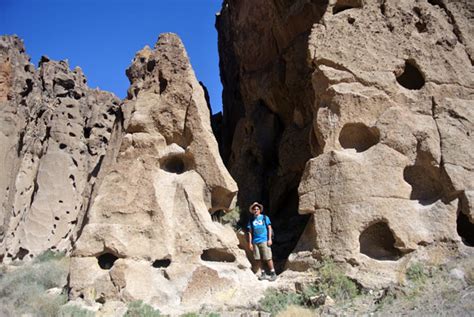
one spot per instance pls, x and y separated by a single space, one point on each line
149 234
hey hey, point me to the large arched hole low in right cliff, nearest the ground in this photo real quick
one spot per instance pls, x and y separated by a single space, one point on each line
377 242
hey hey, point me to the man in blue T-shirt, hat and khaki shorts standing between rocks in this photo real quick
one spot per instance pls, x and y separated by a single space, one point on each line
259 230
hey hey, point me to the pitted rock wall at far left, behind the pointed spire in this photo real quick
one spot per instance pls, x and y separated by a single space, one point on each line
53 135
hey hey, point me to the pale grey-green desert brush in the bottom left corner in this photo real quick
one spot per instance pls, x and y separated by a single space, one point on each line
23 290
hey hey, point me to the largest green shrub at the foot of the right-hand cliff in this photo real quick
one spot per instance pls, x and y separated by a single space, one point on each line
333 282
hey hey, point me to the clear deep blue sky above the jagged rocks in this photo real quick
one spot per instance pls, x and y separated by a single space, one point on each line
102 36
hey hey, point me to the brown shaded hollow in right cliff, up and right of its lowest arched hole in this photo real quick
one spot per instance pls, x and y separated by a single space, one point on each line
425 182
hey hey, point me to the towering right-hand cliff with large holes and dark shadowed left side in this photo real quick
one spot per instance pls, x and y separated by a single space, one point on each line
367 107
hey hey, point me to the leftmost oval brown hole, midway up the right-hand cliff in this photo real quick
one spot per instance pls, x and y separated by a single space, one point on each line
358 136
